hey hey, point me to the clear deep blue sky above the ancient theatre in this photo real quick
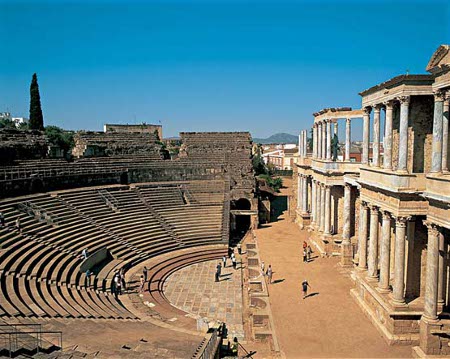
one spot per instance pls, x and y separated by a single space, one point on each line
259 66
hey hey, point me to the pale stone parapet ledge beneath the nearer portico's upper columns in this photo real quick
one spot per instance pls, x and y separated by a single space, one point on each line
391 180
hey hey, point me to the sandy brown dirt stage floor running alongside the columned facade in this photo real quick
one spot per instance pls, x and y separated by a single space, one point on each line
328 324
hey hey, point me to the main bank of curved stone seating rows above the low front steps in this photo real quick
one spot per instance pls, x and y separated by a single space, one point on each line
39 274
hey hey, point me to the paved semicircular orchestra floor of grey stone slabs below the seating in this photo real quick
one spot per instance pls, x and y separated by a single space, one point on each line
193 290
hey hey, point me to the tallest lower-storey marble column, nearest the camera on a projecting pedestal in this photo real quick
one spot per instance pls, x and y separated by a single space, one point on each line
431 284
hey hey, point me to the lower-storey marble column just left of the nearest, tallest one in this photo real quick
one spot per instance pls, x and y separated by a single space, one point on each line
398 293
